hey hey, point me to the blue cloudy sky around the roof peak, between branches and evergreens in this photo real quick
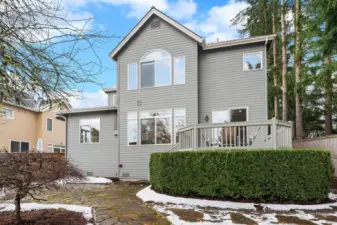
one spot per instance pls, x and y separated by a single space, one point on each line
208 18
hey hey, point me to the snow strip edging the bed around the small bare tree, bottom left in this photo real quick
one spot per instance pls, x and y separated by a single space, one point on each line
86 211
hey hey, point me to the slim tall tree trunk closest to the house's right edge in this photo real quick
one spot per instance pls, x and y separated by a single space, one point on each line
275 65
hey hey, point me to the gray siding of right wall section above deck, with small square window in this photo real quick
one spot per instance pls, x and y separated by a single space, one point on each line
223 84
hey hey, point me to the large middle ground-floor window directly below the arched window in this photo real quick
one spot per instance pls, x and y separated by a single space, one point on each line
156 127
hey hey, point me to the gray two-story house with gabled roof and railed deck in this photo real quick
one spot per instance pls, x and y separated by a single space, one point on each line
175 92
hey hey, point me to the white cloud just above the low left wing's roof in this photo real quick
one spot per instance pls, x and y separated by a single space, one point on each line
89 99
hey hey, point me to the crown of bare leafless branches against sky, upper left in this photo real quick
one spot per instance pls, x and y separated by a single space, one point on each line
43 49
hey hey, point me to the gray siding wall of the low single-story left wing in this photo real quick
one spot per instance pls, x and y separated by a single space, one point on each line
99 158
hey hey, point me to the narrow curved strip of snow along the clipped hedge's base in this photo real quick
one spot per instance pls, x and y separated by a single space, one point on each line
148 195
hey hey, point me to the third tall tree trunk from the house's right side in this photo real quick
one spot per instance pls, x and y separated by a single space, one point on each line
298 65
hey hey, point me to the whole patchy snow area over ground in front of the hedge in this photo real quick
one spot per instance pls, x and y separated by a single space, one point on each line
223 212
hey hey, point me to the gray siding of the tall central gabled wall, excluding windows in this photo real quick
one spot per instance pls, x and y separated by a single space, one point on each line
135 159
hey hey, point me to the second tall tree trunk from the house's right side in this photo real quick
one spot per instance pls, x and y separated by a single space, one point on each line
284 64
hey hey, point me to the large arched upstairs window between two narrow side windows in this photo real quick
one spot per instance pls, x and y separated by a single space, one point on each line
156 69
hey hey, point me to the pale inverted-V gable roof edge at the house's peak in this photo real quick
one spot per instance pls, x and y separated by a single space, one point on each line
154 11
